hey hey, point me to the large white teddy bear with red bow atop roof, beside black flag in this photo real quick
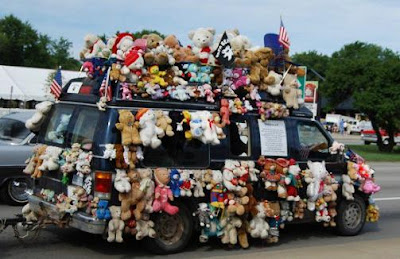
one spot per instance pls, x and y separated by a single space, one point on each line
203 39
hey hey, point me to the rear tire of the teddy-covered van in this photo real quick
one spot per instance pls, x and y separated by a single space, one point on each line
165 242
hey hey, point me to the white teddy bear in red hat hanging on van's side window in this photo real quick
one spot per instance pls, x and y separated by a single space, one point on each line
149 132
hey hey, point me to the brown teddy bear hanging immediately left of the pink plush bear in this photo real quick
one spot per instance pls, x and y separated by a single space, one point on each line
133 197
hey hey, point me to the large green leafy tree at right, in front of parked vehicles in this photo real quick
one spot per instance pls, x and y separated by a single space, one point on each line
370 75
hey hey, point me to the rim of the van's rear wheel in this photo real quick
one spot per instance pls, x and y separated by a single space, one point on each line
169 228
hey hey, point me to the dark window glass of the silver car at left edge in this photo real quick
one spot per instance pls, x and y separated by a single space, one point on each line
12 130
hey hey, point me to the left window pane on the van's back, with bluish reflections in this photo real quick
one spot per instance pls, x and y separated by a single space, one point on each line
57 127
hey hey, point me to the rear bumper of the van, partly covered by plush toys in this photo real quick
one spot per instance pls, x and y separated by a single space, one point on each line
78 220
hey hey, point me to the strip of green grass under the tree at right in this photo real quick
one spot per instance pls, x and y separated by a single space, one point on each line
372 153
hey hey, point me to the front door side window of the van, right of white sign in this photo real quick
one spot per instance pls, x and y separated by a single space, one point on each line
312 142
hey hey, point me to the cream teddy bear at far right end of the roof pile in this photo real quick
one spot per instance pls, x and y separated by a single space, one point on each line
291 92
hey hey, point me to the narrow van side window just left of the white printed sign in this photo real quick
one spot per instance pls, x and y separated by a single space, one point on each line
239 134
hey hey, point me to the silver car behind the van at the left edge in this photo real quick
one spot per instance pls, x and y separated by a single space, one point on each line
16 143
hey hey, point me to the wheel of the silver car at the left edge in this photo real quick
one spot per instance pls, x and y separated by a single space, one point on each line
13 194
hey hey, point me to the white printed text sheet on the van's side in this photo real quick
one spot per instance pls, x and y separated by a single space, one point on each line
273 138
